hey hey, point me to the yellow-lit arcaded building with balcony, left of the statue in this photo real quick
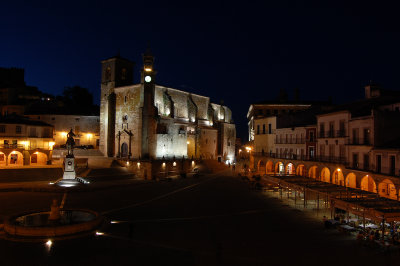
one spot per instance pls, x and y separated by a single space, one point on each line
25 142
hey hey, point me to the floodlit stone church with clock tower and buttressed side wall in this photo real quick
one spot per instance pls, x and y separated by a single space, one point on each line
150 121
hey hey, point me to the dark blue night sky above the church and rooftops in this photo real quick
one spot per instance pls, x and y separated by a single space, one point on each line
237 51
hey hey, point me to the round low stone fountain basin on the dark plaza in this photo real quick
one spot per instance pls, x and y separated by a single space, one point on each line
37 224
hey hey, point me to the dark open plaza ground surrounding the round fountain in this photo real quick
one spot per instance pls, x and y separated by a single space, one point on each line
215 219
